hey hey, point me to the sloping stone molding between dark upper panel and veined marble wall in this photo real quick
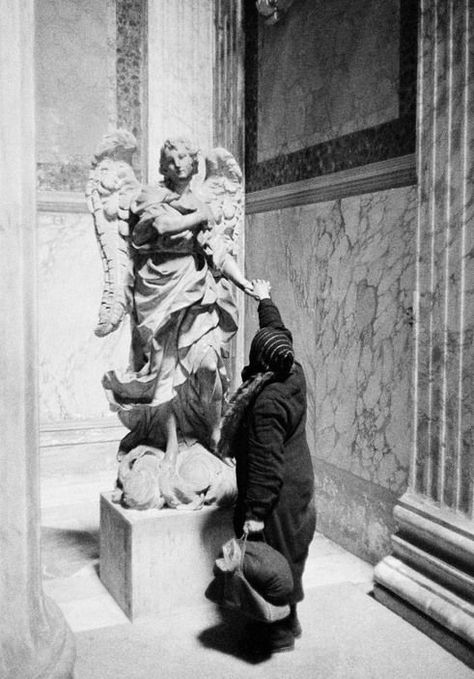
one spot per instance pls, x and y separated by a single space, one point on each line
386 174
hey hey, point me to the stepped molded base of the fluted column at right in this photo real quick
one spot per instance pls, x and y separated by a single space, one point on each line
429 578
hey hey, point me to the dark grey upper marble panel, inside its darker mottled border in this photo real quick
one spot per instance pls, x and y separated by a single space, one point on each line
326 70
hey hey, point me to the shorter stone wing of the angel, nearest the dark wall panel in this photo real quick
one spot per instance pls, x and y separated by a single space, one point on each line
223 192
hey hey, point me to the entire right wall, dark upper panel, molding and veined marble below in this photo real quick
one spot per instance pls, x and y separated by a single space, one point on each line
330 94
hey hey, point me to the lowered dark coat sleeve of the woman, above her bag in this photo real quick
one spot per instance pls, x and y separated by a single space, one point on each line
267 431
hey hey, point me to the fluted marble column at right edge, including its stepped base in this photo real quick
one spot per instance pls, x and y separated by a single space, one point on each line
432 565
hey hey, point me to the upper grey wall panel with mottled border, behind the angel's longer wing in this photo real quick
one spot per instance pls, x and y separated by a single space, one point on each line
91 74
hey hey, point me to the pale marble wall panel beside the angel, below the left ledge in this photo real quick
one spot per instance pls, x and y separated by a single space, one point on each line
71 359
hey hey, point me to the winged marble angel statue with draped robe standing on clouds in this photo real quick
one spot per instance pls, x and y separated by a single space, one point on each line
169 265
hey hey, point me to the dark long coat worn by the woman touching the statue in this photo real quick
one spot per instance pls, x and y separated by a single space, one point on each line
274 471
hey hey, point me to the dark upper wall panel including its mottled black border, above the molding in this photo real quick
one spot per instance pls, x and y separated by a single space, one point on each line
330 87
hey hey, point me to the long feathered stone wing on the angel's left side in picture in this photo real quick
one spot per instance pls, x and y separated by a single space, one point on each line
111 188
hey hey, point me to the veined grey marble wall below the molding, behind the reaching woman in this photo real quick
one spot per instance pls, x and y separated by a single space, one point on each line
343 276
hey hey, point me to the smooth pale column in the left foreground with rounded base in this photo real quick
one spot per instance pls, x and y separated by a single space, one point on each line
34 638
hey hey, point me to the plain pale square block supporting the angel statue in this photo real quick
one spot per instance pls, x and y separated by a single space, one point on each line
159 561
